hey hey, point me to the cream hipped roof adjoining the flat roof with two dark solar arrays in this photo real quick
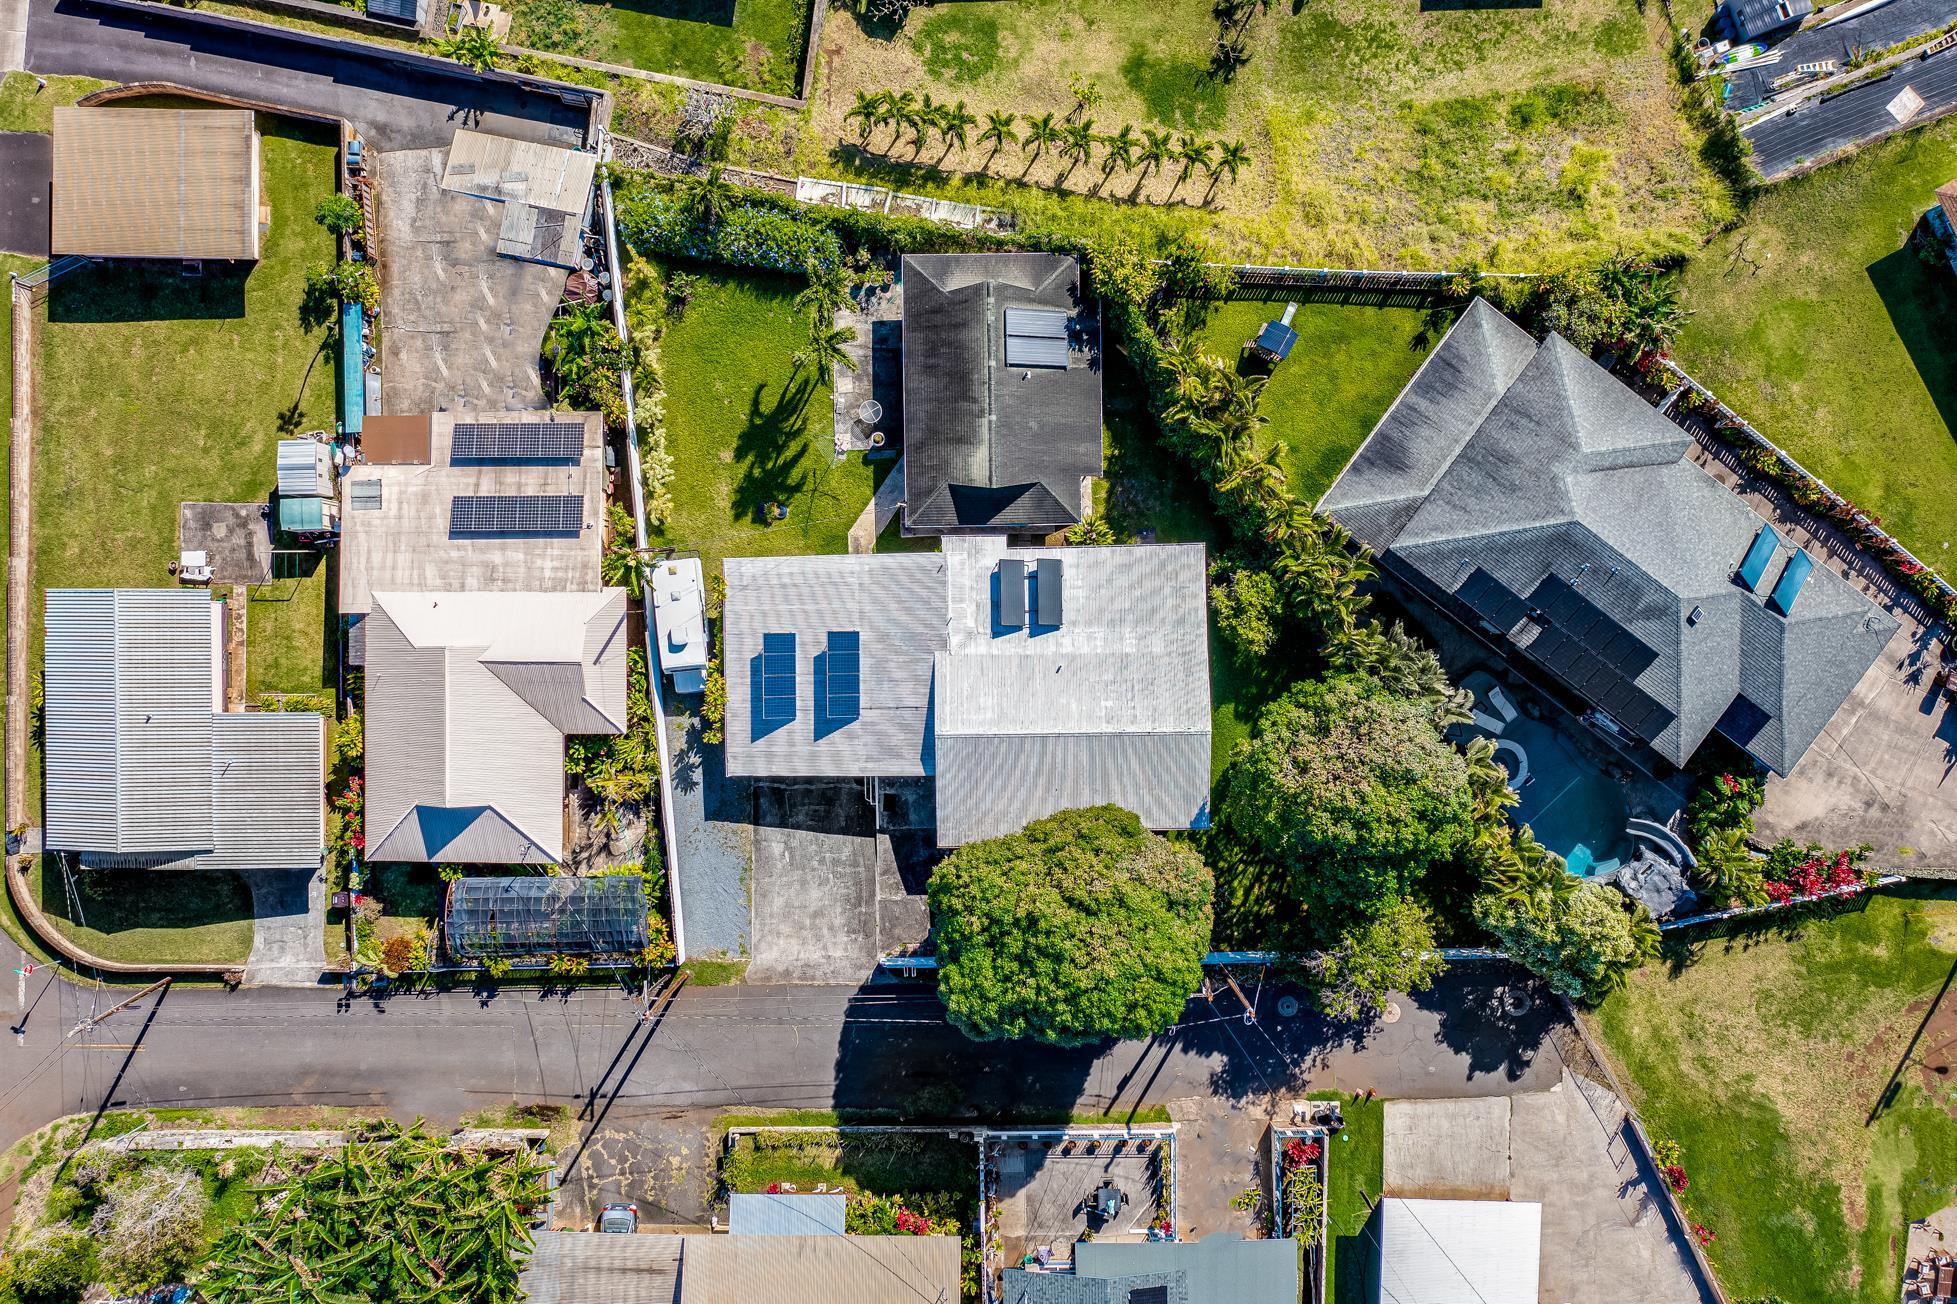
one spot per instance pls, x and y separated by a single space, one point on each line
471 698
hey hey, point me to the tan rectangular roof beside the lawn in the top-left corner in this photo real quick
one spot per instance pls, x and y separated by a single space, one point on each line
156 183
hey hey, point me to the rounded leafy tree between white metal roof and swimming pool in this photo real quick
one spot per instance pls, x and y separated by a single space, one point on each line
1351 794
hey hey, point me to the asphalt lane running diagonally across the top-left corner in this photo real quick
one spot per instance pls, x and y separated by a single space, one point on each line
392 105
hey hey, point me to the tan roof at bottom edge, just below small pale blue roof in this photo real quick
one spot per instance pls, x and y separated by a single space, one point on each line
821 1270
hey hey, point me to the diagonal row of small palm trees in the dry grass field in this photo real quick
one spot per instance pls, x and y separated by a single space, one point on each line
919 118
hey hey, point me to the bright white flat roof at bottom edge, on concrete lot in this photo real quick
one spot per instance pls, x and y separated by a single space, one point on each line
1445 1252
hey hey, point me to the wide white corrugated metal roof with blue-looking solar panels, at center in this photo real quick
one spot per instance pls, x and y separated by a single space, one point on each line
1113 706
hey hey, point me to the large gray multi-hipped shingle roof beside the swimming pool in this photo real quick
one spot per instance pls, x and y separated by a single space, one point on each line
1539 502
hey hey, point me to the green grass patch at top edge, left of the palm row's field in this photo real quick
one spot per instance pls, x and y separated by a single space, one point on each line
754 44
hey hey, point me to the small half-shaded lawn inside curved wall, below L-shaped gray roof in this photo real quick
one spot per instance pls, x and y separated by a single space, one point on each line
150 915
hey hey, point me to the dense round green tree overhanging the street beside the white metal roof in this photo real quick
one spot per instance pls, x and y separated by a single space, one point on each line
1081 927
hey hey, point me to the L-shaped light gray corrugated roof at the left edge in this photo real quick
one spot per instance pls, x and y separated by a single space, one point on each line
142 767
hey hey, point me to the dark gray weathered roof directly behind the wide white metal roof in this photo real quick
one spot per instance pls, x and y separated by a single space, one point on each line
1003 395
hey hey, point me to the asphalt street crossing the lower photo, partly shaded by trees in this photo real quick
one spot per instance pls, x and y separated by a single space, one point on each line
443 1056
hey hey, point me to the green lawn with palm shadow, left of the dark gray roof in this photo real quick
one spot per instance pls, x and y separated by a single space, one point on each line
745 432
